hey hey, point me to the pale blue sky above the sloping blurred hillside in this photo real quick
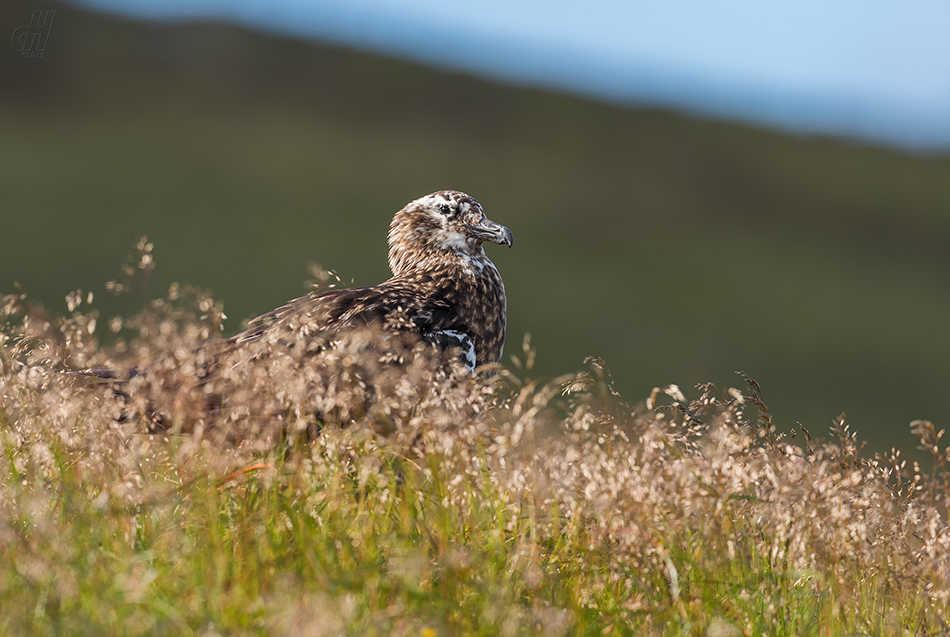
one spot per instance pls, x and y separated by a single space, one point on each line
868 69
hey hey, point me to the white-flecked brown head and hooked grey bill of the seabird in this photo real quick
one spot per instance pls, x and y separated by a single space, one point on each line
444 223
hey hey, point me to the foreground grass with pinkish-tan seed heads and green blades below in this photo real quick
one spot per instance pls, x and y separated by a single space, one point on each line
348 493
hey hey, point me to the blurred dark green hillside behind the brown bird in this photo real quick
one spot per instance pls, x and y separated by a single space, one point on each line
677 249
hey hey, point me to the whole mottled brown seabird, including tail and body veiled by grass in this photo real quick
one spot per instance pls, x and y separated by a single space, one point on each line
444 292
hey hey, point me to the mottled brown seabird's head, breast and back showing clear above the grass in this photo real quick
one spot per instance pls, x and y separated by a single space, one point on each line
444 288
